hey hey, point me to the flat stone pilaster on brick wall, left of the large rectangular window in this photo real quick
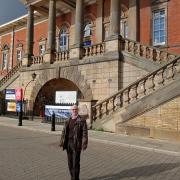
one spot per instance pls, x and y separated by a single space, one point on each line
133 20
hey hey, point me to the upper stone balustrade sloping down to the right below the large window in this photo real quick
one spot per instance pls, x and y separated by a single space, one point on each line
147 52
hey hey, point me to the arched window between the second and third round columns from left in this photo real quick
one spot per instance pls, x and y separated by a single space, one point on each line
63 39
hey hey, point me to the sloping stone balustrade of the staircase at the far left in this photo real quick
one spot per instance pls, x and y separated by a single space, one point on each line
10 73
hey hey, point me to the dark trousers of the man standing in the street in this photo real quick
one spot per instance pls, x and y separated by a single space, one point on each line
73 161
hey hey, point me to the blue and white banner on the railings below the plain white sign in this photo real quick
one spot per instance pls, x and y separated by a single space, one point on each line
62 112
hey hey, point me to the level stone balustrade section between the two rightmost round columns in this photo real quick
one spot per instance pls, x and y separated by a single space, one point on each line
94 50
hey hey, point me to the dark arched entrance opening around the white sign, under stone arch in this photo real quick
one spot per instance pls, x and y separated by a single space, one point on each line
46 95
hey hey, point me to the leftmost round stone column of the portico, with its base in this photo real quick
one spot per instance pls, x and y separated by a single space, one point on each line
29 37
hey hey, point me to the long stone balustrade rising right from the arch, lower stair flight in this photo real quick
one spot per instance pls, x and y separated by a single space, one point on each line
138 89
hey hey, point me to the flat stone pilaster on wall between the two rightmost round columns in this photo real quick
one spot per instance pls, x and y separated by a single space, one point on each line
99 21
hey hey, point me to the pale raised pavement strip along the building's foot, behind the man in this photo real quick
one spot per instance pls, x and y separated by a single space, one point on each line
162 146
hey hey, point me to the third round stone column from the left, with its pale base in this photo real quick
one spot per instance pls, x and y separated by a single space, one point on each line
75 52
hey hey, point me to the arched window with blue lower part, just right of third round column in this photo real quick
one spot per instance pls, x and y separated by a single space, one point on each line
87 34
